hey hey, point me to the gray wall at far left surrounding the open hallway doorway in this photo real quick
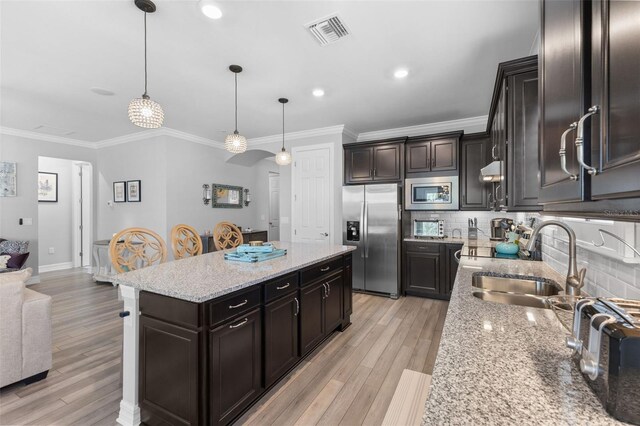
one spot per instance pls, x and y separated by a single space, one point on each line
25 152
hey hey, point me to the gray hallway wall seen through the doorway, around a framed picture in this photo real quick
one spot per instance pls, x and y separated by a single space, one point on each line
55 219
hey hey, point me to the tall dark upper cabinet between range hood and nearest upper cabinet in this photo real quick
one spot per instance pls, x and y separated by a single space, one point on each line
514 135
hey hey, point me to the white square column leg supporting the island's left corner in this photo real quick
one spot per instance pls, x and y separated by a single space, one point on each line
129 410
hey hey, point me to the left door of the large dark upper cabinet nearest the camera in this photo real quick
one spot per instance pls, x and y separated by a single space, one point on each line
561 98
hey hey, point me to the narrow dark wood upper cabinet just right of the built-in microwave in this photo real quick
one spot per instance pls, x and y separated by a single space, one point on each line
475 154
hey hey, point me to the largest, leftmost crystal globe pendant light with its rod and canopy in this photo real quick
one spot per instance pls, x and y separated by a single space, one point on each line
144 112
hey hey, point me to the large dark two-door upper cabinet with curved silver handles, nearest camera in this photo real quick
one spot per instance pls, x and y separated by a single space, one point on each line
589 105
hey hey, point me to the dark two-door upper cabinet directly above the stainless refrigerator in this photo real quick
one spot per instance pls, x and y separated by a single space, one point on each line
374 162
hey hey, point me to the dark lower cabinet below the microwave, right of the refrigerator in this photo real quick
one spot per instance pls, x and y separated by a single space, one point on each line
429 269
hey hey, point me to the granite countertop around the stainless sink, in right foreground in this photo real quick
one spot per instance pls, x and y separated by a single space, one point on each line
506 364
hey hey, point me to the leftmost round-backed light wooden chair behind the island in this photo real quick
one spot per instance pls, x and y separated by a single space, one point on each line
135 248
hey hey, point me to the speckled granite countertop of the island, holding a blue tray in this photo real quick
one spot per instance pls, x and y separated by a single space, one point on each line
205 277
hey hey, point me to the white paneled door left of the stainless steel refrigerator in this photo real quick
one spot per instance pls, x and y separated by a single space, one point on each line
312 183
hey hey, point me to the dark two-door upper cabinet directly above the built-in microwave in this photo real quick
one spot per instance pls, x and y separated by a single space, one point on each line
433 154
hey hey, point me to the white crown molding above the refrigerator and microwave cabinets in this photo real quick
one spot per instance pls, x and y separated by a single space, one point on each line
471 124
